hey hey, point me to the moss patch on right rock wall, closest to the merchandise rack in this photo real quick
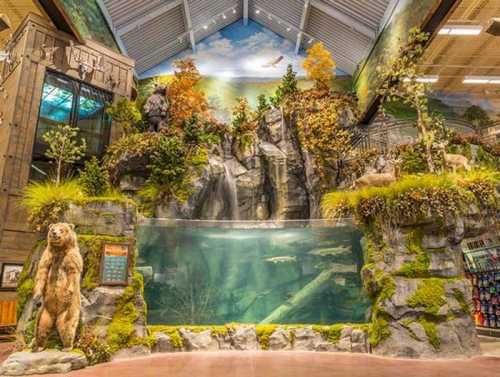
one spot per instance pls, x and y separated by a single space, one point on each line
430 295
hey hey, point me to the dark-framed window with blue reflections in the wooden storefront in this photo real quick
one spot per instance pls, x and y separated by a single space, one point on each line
68 101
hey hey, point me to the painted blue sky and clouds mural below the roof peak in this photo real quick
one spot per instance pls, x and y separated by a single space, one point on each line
241 61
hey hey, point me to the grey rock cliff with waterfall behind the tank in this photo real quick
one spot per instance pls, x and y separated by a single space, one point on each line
273 179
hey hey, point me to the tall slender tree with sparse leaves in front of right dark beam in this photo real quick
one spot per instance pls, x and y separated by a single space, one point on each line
401 83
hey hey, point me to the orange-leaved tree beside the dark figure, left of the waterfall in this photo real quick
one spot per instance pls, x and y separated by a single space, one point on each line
185 100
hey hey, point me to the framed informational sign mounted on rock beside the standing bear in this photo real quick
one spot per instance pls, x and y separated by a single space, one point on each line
114 265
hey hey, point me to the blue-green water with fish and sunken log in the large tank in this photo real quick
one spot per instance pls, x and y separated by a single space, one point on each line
214 275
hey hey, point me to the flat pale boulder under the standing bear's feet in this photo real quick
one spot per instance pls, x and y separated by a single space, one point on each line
48 361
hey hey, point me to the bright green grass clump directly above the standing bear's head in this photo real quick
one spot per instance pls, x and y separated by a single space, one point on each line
46 201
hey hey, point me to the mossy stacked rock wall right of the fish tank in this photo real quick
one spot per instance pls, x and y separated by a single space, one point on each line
422 301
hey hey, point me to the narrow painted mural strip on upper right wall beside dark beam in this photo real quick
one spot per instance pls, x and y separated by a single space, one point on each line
406 15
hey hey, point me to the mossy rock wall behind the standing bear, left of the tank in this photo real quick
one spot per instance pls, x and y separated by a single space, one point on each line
114 315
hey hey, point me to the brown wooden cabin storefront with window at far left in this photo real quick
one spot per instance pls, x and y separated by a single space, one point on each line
52 73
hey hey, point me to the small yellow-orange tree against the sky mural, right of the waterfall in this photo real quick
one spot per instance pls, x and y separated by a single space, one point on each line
319 66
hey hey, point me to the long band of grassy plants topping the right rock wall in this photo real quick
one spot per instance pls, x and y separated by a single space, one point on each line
415 197
